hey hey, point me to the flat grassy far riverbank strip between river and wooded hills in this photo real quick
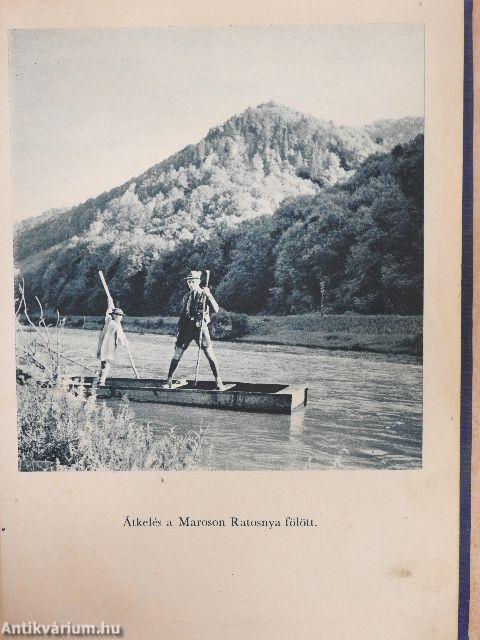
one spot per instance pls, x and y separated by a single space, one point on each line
347 332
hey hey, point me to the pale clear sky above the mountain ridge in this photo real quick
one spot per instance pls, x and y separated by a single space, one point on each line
91 108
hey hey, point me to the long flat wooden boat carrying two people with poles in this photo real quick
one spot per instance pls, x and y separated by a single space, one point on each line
237 396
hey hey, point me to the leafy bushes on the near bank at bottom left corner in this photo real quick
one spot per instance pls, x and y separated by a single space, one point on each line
59 429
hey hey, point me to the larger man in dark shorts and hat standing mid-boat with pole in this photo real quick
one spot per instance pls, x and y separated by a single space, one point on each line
193 325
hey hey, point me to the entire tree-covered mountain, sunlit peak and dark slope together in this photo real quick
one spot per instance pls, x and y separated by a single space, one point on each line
276 204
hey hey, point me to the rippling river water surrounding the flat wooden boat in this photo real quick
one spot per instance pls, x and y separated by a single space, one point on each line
363 410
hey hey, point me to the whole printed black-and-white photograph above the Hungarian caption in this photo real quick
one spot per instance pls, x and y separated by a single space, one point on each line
218 247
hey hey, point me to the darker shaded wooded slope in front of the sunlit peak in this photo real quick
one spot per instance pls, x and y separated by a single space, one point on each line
363 239
